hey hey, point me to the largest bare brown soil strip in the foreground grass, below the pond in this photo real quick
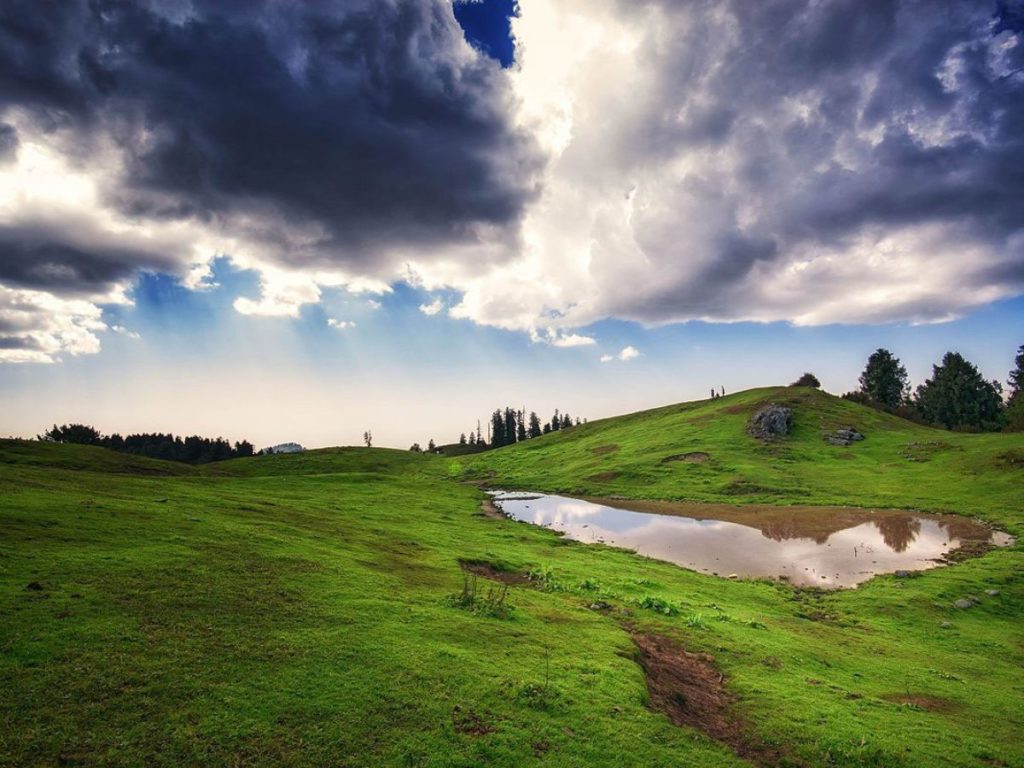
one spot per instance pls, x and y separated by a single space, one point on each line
691 691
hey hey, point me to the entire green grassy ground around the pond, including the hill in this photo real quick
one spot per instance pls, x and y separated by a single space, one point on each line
306 610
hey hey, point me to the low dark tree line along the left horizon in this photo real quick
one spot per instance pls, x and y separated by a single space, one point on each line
192 450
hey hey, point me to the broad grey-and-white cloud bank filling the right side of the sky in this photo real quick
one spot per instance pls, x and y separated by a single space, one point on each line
810 126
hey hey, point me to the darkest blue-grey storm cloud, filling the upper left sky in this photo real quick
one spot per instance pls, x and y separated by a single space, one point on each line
371 122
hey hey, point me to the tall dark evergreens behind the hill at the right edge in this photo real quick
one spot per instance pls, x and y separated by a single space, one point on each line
957 397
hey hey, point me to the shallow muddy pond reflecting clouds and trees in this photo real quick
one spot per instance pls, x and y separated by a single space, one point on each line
823 546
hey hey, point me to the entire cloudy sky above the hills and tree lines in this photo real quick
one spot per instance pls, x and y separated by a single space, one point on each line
298 222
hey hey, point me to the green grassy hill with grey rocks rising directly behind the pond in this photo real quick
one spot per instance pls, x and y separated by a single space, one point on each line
901 464
